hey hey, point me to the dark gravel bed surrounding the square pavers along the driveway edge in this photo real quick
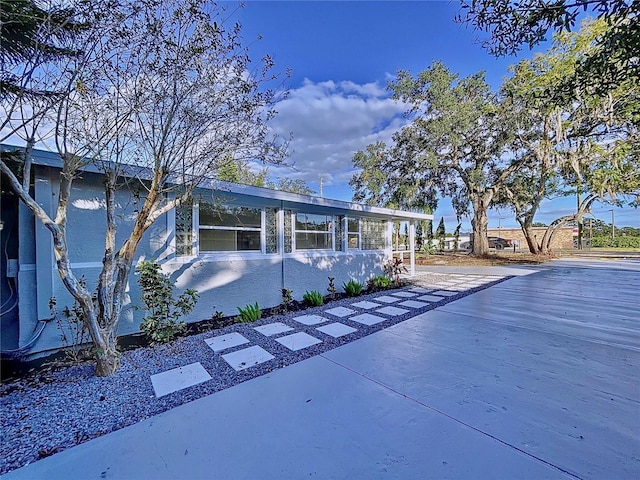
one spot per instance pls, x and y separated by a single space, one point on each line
53 410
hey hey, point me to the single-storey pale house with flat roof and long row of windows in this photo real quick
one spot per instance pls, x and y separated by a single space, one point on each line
235 245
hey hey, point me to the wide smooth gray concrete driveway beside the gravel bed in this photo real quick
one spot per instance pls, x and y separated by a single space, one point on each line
534 378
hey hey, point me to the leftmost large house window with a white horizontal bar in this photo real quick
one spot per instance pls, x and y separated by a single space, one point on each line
226 228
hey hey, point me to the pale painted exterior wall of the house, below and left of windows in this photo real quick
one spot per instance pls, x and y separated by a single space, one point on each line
224 281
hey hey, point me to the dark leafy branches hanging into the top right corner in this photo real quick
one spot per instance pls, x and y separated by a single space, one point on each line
615 56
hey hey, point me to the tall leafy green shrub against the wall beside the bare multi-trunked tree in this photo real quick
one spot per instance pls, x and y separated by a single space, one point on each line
161 324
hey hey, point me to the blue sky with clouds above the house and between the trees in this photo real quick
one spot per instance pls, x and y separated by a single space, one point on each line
341 55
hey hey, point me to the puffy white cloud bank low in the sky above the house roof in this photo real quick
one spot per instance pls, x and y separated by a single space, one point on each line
331 121
